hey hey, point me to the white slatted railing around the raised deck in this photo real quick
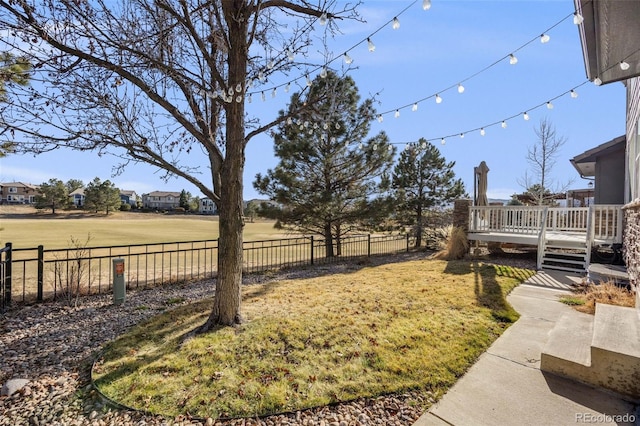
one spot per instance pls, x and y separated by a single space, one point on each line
602 222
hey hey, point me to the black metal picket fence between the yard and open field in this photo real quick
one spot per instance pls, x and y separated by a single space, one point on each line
36 274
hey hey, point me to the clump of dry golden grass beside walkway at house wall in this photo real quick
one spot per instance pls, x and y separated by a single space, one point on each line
587 295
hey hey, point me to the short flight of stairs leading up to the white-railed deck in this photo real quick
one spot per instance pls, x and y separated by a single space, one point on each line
566 255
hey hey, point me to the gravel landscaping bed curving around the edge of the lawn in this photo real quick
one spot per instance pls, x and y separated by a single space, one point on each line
52 346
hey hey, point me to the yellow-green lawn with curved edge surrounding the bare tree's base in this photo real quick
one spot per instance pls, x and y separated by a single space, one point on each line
311 342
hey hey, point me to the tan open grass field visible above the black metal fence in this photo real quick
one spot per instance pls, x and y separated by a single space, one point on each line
118 229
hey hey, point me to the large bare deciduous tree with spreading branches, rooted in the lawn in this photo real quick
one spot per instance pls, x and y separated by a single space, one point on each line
156 81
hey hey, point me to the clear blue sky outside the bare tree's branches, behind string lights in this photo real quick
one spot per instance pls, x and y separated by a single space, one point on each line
431 51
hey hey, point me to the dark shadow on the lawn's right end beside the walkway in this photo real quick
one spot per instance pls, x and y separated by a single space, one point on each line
489 293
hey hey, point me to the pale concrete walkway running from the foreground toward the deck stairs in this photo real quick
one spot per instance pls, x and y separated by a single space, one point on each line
506 387
